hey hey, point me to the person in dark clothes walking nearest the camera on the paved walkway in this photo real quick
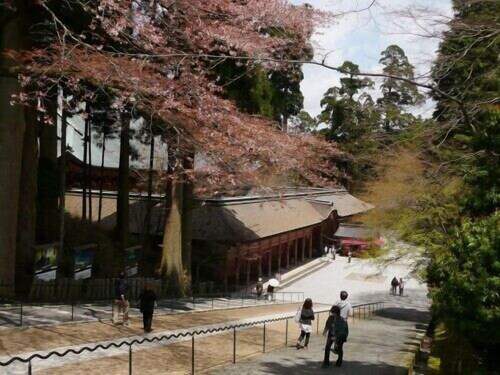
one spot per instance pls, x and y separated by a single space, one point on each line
336 330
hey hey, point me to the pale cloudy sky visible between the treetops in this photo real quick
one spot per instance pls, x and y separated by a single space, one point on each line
361 36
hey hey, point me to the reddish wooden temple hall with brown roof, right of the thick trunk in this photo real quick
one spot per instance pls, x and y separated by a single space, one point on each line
243 238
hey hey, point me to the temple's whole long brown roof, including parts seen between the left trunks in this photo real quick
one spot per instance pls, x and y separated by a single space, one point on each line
237 219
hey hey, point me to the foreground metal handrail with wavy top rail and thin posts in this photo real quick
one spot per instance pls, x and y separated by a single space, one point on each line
165 338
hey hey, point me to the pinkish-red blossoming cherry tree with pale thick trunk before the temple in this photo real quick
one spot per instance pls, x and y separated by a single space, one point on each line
155 59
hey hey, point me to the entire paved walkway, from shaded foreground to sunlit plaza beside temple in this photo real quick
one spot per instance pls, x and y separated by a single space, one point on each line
382 345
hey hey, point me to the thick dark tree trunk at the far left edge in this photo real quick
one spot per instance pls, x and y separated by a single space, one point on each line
12 128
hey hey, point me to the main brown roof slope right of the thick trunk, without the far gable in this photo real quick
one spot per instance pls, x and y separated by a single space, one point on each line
249 221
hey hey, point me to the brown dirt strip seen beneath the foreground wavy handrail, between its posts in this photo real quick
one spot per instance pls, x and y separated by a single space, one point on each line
209 352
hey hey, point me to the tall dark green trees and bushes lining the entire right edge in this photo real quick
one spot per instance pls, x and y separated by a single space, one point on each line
465 271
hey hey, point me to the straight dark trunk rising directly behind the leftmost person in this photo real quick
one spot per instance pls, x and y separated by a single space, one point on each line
122 204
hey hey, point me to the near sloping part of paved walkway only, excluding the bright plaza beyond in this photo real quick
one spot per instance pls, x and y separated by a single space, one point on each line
380 345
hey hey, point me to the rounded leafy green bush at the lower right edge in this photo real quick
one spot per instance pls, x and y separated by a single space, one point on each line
465 280
